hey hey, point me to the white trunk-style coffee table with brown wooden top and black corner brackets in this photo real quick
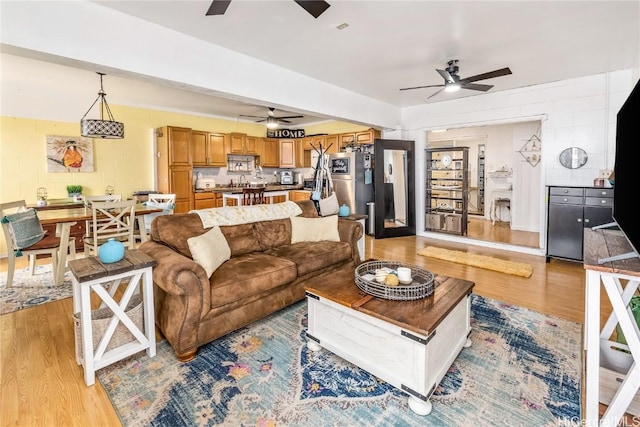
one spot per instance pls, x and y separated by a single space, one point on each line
408 344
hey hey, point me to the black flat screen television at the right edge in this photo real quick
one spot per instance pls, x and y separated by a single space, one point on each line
626 187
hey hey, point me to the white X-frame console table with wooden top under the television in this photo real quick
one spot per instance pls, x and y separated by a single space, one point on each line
612 369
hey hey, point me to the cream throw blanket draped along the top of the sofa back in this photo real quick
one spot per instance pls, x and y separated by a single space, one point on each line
235 215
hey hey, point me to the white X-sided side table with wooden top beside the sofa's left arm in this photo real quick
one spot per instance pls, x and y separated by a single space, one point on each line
89 274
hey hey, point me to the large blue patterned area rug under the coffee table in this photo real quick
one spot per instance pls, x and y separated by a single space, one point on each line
522 369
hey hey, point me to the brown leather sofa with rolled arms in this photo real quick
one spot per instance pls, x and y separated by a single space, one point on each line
264 274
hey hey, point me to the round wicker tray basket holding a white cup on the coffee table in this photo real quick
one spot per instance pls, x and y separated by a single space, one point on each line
422 284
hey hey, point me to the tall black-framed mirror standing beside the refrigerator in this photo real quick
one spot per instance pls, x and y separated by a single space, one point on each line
394 188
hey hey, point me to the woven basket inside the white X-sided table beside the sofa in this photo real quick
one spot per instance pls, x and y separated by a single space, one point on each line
100 320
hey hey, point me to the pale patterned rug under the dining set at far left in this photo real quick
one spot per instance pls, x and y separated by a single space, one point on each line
28 291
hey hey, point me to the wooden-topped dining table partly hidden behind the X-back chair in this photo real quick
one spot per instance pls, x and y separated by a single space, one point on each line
64 219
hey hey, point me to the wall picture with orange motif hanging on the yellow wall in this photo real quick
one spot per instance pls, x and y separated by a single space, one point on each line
69 154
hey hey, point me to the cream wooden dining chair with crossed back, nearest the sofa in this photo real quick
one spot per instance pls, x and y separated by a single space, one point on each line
110 220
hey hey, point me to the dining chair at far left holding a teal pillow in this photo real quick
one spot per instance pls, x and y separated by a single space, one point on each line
47 245
